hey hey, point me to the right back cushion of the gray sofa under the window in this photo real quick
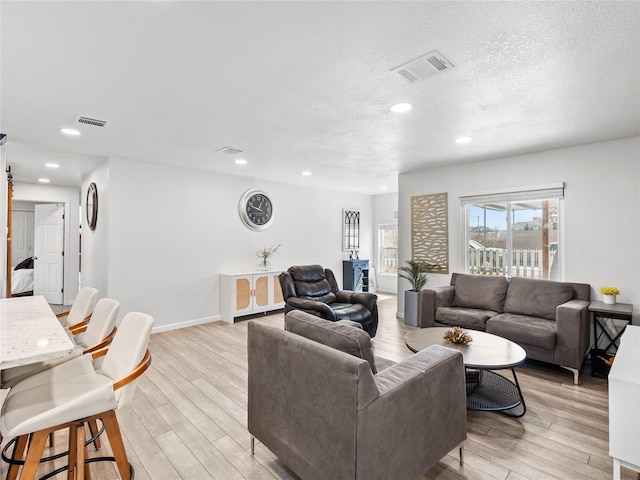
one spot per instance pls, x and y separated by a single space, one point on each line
537 298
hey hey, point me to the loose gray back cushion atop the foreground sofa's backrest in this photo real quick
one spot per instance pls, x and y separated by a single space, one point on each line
338 335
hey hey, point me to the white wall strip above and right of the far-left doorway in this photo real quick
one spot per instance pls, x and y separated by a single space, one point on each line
70 197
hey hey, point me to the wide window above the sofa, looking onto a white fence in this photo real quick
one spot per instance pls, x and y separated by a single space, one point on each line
514 233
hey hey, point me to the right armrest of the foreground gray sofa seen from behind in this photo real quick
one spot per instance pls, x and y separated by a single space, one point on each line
421 411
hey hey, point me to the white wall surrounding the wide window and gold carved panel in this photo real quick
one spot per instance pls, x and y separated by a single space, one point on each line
601 209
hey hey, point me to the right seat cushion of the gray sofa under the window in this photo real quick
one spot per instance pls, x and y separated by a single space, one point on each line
521 329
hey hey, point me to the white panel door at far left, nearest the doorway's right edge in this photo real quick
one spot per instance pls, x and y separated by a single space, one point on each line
48 274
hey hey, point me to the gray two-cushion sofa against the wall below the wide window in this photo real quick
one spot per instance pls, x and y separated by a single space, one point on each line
550 320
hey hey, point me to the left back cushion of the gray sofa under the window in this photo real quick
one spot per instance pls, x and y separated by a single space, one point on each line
481 292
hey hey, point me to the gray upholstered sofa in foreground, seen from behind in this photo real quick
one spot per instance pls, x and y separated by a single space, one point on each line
316 401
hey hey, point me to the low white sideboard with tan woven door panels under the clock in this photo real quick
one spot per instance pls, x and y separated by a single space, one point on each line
248 293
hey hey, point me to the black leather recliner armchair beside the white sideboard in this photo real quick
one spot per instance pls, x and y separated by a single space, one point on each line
314 289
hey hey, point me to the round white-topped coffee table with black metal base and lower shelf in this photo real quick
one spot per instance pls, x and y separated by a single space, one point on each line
486 389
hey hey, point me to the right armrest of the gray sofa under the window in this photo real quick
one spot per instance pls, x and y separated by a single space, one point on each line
572 333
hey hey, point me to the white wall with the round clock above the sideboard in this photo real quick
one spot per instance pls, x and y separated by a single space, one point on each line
170 232
